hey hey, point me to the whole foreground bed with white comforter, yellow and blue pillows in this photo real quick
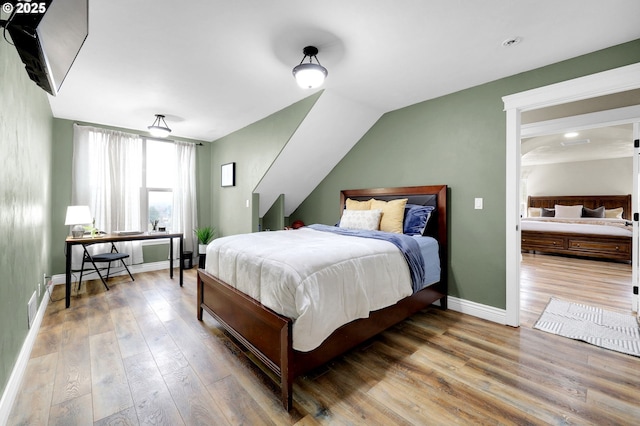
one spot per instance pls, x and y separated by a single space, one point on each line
298 298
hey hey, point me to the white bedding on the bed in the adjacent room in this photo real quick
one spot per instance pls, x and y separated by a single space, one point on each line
582 226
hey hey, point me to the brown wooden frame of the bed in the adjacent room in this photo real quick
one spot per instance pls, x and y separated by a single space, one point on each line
610 247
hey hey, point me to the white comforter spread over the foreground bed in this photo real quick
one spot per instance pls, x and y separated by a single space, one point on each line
319 279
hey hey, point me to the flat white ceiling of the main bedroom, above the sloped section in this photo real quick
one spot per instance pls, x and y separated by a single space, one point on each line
214 66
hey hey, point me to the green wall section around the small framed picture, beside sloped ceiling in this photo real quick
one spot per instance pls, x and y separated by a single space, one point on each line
253 149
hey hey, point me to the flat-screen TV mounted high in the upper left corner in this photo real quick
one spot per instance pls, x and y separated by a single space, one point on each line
48 36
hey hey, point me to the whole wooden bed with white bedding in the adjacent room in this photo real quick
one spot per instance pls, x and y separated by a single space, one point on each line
608 238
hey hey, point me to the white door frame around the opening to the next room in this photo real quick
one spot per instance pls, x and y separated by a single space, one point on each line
604 83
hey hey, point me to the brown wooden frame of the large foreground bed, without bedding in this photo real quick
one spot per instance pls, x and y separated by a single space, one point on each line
268 335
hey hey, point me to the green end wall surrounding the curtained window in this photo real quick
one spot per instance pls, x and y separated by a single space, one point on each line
62 158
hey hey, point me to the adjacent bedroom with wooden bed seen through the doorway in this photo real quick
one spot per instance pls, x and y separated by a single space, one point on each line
576 212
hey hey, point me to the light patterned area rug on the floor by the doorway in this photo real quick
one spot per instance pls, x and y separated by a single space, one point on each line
607 329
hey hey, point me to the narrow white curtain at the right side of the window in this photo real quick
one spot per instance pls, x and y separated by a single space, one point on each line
185 216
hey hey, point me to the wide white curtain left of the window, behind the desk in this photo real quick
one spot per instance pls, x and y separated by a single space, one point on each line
107 176
